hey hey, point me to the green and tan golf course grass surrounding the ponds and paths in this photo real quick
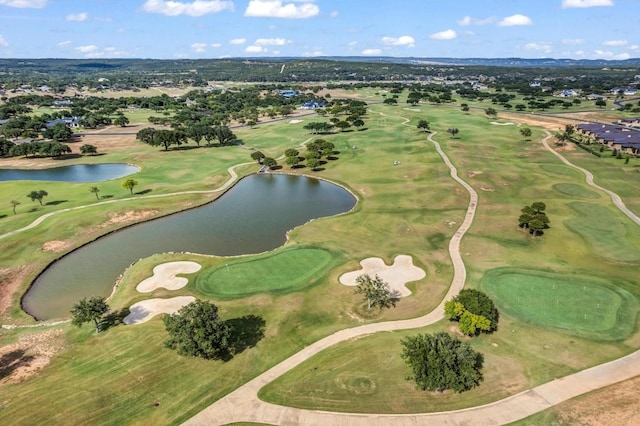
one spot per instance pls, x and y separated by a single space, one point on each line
412 208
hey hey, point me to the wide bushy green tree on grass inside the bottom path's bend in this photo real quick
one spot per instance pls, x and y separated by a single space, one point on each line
439 362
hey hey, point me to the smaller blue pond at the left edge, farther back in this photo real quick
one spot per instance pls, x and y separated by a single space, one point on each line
76 173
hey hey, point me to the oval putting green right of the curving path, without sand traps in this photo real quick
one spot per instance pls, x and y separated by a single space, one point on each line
579 305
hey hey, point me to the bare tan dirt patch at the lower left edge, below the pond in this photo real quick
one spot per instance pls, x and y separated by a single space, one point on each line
32 352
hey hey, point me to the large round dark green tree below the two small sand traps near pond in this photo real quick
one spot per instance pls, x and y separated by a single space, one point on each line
197 330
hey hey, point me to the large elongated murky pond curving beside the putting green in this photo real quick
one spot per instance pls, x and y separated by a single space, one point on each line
252 217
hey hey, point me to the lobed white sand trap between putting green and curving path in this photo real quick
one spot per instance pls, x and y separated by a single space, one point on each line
397 275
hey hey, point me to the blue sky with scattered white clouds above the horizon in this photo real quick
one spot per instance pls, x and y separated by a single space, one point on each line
577 29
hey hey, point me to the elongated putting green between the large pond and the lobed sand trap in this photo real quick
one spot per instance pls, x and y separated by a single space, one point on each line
282 272
